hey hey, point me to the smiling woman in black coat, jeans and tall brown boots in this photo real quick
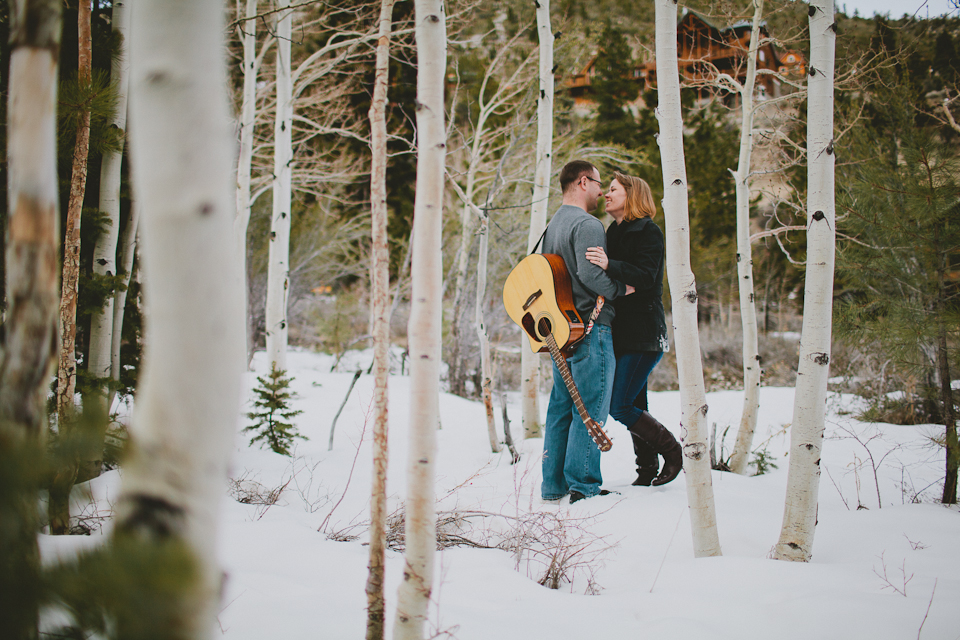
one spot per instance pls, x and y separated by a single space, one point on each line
636 258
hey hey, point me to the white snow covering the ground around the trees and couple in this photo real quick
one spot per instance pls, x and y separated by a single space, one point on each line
286 579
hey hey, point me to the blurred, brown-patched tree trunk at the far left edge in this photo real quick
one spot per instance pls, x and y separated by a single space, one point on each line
33 225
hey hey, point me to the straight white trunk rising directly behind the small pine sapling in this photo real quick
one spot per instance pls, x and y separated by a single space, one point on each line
278 269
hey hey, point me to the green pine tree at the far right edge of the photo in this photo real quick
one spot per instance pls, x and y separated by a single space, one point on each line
897 267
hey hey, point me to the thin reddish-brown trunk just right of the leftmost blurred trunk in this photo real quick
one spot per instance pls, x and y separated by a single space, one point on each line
65 475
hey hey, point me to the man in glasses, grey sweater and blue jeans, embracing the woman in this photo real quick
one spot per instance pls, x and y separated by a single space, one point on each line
571 460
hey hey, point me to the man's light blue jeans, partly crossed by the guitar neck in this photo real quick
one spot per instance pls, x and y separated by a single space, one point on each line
571 460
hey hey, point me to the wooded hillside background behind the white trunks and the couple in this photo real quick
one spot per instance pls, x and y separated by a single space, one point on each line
492 72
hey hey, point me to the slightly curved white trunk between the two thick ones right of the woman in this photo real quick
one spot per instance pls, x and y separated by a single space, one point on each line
748 307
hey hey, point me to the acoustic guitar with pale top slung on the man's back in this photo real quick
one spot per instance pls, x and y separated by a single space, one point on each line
538 297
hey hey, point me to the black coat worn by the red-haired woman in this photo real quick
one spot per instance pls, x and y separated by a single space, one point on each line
635 251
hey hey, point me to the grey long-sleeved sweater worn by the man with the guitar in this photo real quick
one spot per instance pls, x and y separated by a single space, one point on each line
571 231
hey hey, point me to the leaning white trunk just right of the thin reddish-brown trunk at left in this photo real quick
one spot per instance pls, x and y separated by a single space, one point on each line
105 250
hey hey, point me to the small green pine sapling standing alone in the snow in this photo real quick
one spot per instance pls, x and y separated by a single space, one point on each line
273 412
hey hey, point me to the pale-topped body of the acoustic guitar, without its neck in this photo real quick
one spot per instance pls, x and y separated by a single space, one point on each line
538 297
